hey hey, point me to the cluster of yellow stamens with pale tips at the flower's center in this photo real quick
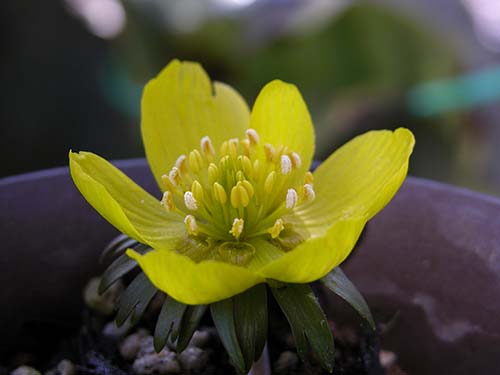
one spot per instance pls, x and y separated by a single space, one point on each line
239 192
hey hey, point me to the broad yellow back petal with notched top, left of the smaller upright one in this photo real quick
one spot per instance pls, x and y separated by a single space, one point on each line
180 106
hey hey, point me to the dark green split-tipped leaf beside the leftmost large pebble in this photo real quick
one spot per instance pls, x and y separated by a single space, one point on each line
135 299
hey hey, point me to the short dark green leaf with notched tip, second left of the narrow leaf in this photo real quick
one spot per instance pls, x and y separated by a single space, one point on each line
168 323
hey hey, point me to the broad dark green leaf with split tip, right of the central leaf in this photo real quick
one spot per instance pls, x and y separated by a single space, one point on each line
307 320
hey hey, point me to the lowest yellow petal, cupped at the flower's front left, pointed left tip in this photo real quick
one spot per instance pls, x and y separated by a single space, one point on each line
194 283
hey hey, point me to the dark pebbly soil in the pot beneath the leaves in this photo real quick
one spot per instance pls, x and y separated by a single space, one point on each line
98 347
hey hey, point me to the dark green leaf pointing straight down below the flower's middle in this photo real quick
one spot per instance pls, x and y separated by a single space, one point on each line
250 317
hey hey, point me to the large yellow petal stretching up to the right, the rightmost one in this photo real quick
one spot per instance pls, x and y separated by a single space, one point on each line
358 179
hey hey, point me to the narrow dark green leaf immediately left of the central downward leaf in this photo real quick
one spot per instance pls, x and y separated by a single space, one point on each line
223 317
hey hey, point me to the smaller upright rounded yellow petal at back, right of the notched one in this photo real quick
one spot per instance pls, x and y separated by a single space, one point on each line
280 117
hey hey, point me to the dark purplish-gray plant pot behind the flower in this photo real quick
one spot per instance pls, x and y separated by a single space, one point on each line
428 265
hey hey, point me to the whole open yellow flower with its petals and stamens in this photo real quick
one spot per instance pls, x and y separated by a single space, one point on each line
239 206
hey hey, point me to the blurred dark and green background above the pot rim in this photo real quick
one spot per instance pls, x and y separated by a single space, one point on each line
72 73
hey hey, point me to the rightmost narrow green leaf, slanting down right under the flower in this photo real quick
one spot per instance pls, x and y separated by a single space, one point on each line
339 284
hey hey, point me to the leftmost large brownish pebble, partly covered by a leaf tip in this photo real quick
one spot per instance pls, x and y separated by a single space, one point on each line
103 303
